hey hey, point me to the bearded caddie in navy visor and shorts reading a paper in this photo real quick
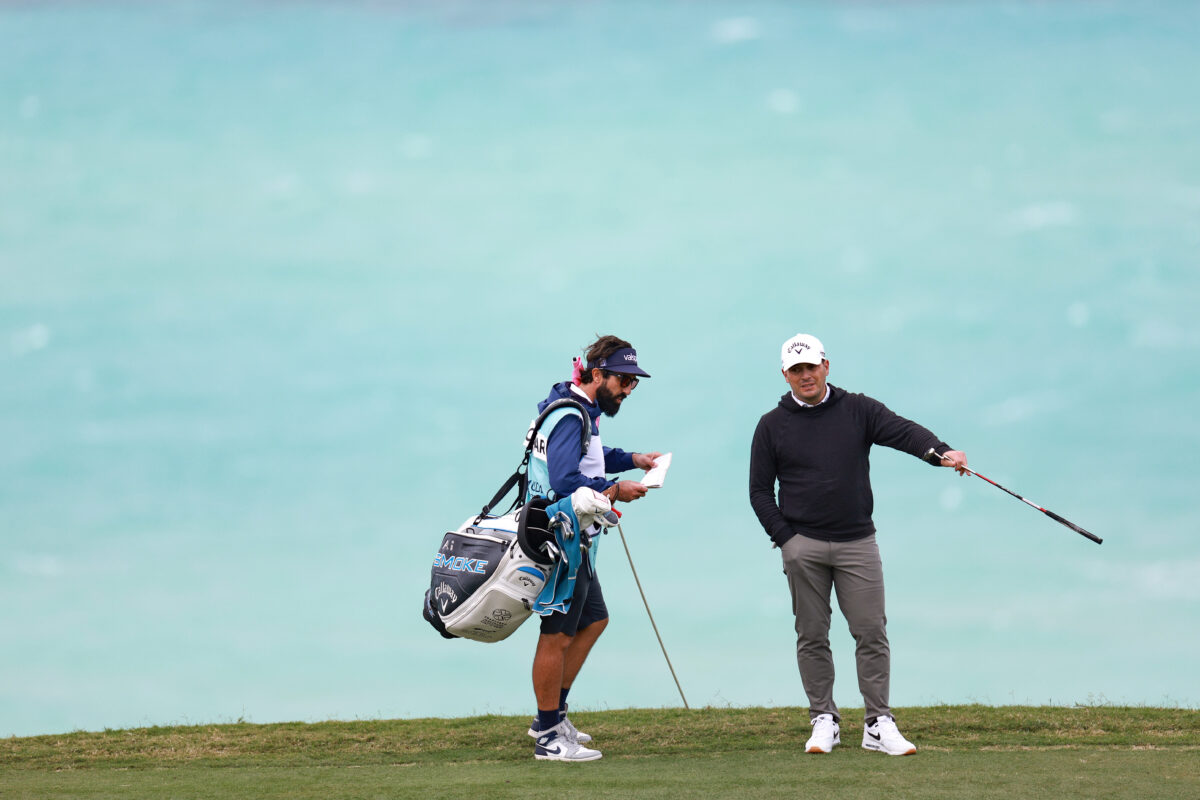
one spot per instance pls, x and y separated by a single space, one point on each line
602 384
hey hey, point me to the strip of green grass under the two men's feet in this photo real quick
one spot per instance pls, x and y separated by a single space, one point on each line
746 754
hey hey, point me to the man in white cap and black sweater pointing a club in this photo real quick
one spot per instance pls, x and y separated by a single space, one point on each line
815 446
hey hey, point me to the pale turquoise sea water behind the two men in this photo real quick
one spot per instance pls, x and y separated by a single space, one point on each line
280 285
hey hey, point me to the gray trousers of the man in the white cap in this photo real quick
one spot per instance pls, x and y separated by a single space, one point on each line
855 572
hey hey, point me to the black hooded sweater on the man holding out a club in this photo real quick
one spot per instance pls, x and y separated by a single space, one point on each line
820 458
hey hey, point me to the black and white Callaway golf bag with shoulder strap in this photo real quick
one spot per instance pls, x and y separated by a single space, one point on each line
488 574
